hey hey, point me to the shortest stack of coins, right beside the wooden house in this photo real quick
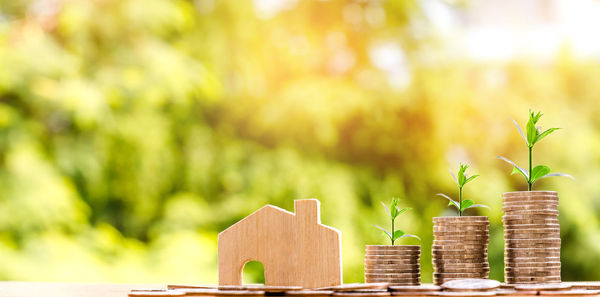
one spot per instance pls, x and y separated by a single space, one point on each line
393 264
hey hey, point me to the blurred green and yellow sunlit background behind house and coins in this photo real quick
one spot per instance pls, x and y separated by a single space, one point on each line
133 131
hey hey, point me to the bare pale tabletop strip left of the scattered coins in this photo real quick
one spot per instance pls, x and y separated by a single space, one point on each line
35 289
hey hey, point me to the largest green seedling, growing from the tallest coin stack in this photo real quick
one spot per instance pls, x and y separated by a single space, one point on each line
534 135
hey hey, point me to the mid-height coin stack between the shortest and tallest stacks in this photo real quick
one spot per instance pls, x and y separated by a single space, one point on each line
460 248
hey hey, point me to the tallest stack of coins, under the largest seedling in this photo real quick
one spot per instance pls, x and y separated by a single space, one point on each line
532 237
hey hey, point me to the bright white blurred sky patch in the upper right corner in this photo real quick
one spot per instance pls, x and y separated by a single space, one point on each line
504 29
